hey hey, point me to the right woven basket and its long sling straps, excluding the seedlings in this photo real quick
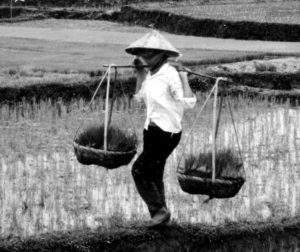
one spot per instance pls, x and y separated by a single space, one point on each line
214 187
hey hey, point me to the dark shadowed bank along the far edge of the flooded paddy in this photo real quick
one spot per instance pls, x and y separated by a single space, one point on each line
270 85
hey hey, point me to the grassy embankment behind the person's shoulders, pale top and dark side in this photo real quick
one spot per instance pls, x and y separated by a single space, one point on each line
265 79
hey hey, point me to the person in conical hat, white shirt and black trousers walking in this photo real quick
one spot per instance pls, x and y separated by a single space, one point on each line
166 93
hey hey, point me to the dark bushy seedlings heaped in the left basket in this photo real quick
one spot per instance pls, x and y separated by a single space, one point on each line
117 140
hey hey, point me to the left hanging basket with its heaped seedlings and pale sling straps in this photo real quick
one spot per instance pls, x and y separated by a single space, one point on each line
105 145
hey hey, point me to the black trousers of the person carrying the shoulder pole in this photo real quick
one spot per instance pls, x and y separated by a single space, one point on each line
148 169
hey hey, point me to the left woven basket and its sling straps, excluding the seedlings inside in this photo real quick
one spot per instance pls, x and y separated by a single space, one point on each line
109 159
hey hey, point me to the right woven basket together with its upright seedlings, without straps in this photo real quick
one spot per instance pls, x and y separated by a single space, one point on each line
197 175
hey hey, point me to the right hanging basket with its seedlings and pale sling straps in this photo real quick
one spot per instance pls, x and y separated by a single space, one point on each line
216 174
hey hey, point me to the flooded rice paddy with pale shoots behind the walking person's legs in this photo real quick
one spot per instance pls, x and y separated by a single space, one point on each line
44 188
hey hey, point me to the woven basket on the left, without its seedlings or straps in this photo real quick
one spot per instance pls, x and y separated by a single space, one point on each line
109 159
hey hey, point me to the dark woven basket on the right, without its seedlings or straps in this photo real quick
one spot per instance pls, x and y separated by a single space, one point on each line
224 187
